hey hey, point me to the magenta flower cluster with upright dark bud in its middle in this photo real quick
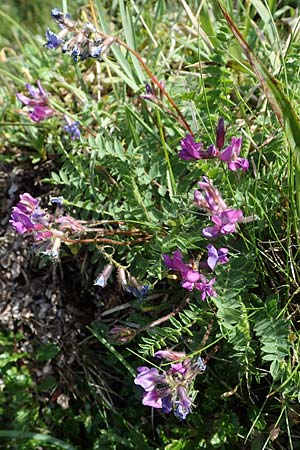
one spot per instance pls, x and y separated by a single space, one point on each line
192 150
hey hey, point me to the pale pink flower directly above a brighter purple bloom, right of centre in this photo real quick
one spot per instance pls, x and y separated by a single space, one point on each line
211 200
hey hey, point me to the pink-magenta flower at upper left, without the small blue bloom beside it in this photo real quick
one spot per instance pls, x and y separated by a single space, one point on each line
39 102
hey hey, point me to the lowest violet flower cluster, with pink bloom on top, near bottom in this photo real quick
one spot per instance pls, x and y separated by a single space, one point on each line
171 390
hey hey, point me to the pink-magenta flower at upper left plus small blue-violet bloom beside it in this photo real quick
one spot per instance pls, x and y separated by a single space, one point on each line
39 108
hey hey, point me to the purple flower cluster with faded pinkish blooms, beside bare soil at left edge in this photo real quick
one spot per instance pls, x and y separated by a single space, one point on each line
47 230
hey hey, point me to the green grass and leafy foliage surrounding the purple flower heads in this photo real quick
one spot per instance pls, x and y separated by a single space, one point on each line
125 174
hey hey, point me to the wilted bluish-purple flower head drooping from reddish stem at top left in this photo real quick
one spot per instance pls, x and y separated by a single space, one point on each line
81 42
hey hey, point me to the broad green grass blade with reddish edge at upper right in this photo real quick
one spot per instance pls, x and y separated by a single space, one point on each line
273 91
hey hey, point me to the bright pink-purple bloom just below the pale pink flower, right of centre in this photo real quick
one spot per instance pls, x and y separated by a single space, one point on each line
224 223
